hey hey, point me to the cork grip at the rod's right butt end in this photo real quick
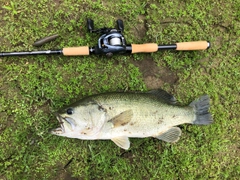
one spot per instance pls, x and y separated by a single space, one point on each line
195 45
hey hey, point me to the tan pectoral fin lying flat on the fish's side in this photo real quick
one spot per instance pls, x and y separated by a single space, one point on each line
122 119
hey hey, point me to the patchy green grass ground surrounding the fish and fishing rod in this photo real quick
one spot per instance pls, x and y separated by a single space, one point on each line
32 88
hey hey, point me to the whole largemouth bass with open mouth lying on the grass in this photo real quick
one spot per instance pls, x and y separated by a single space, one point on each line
119 116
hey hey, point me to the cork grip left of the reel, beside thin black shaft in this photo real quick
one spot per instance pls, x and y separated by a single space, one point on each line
76 51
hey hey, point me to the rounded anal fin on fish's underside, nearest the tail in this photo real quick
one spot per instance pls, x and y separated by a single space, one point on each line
172 135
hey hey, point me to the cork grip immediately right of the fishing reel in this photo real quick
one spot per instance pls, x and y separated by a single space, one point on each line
149 47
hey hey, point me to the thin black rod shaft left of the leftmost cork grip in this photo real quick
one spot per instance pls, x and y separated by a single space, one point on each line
23 53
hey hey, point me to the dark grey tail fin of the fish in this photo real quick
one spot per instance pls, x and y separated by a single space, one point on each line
201 107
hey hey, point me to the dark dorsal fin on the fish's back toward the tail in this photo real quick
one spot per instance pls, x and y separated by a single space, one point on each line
163 96
